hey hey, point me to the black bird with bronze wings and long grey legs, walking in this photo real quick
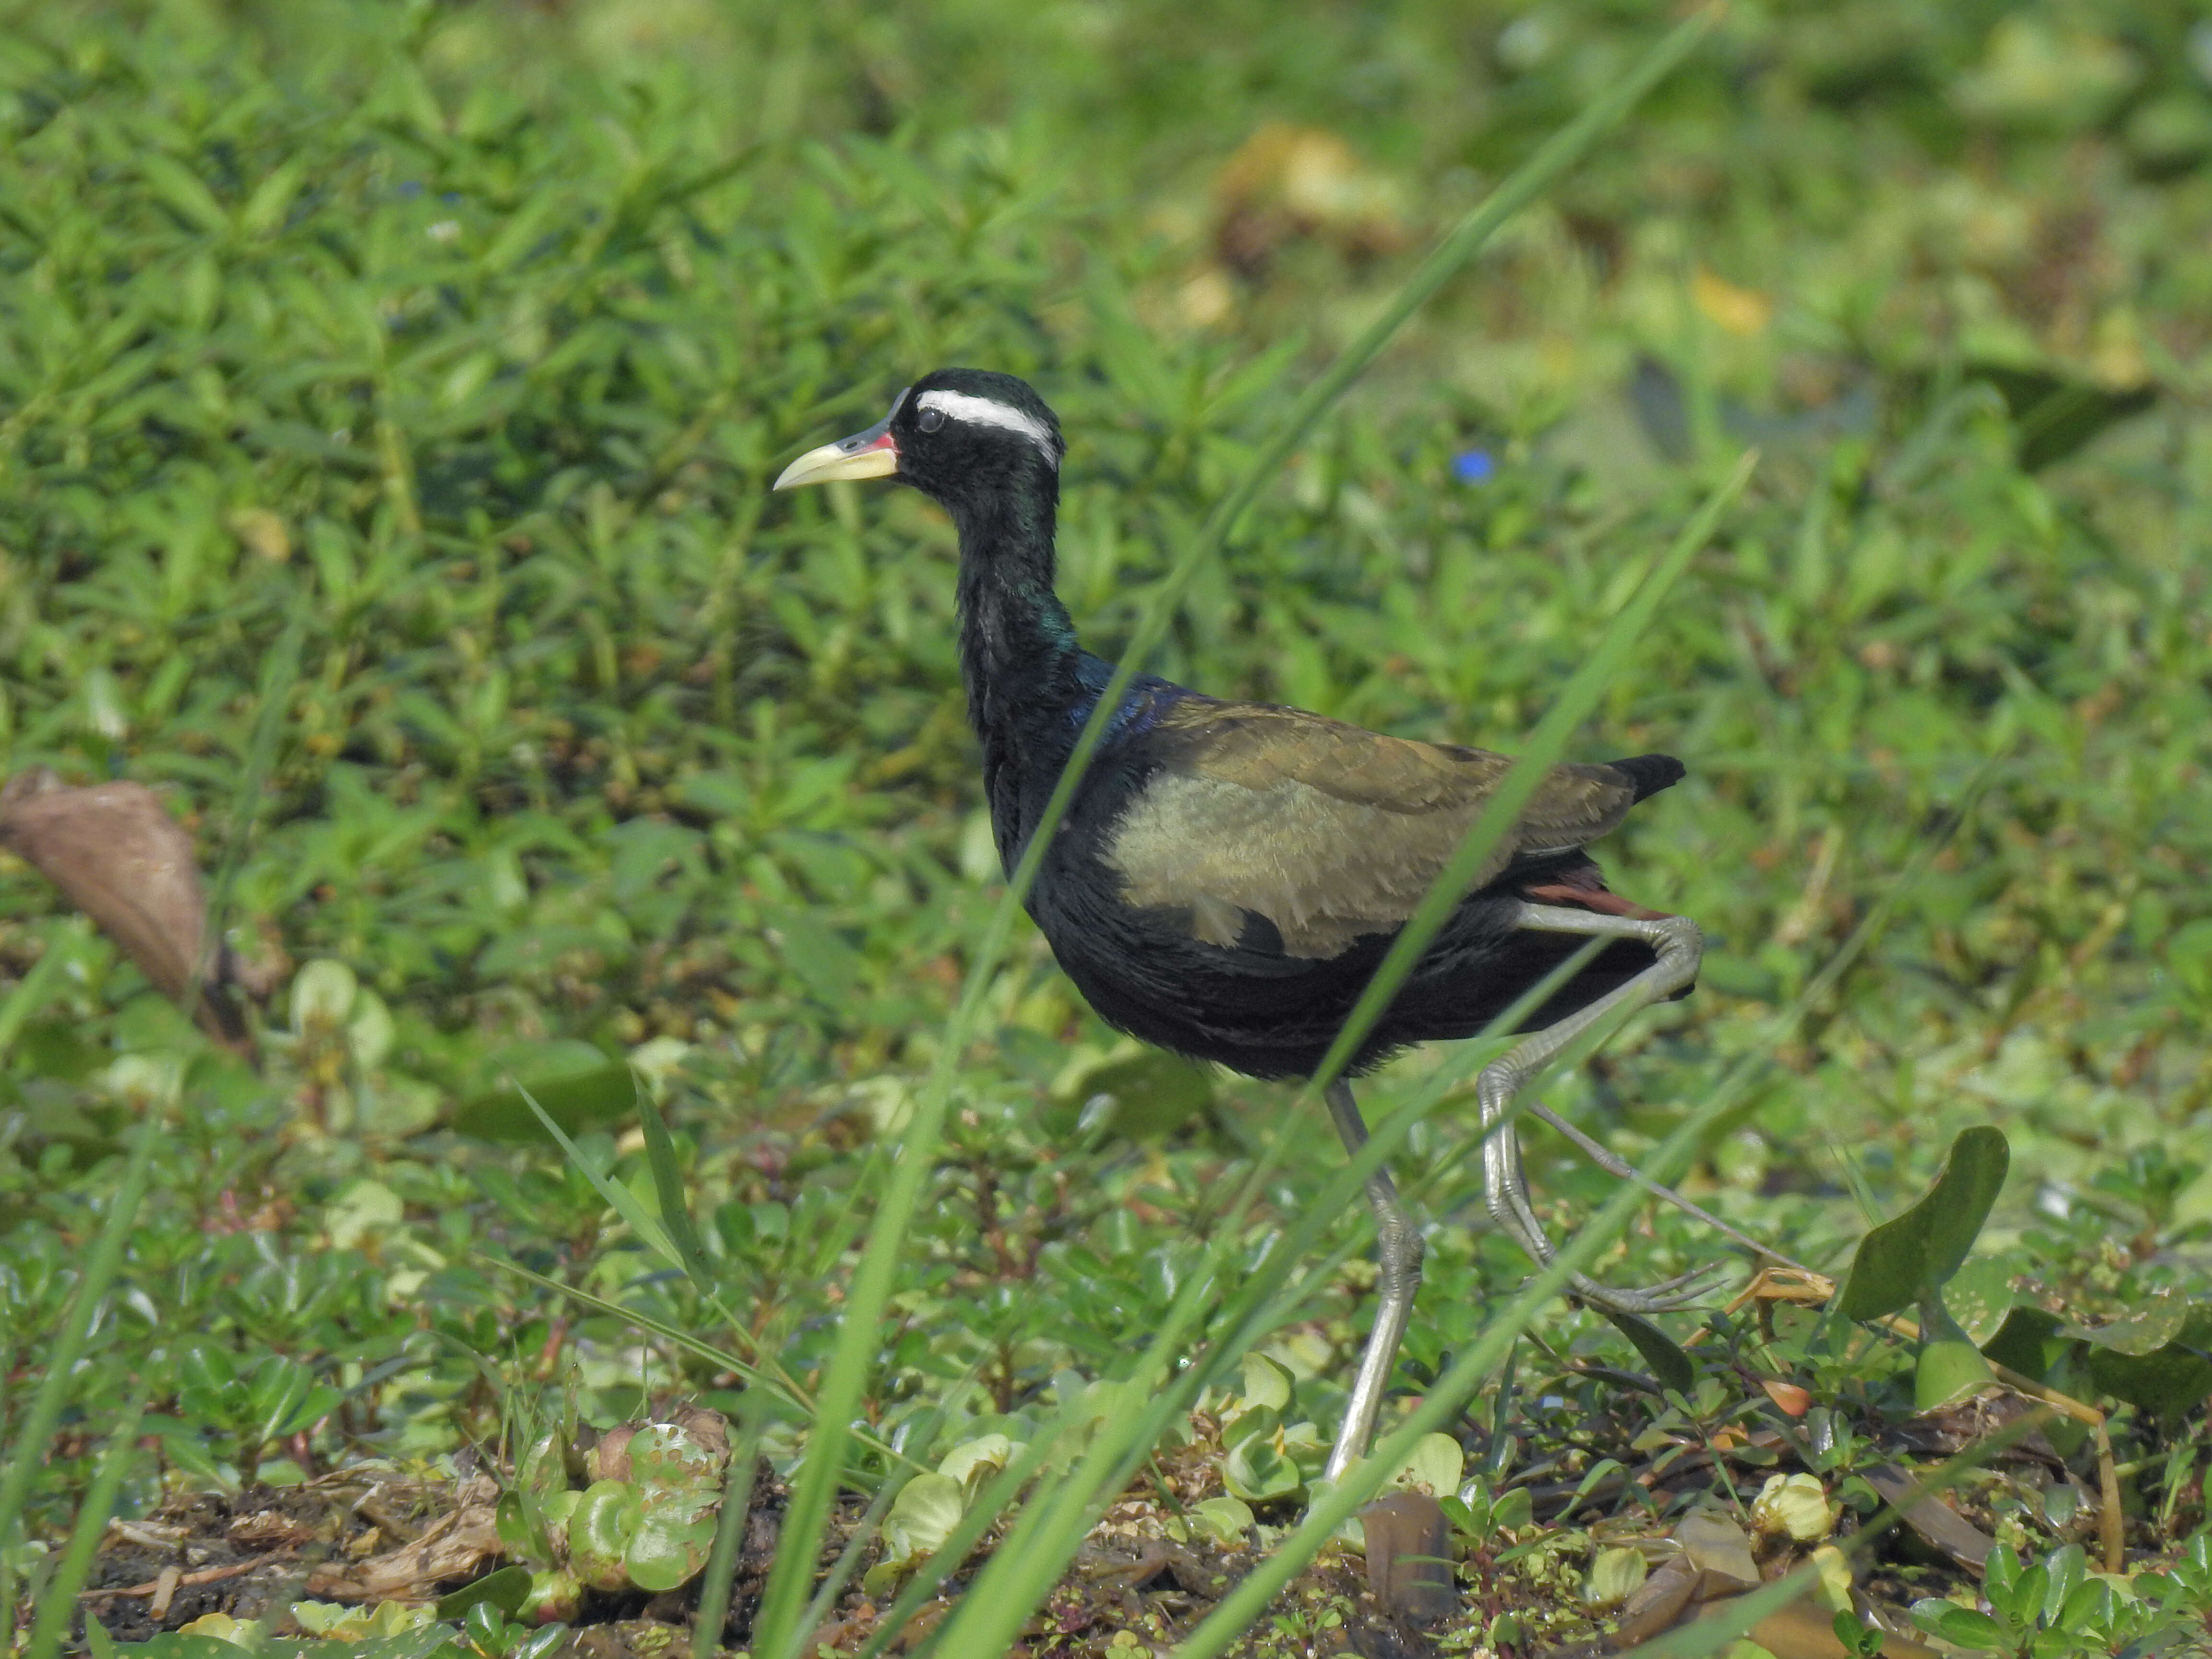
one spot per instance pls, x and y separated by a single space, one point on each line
1229 875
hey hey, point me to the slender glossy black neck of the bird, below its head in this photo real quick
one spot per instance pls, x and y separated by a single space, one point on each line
1016 640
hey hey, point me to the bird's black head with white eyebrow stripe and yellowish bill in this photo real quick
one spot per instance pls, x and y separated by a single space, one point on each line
954 435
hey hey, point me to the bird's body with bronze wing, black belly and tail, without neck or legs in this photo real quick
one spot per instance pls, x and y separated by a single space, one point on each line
1233 875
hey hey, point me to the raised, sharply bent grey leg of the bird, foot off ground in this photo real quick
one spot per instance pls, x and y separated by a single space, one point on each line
1678 946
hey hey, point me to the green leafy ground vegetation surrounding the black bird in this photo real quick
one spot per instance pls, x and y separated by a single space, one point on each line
388 397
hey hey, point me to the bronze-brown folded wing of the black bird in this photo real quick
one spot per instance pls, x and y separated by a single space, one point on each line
1322 828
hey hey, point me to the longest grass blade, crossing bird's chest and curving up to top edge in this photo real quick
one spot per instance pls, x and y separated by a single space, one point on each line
868 1297
